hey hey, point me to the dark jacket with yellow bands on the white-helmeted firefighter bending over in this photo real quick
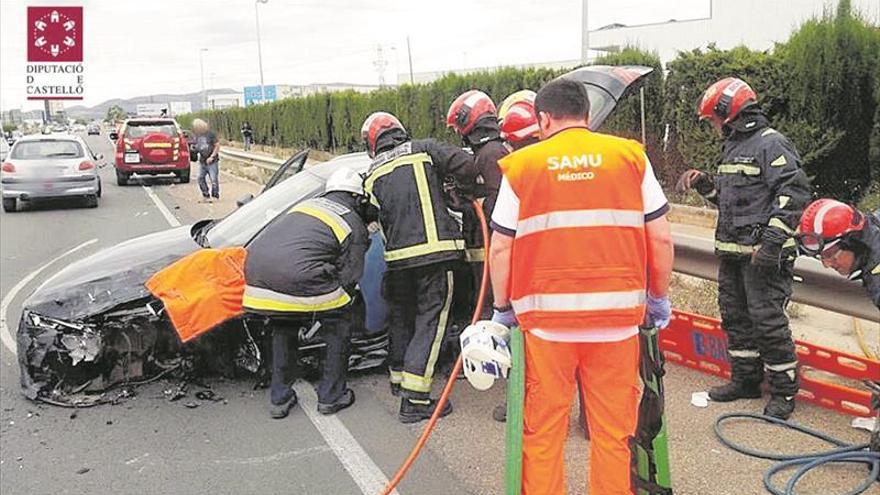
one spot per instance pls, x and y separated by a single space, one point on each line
309 259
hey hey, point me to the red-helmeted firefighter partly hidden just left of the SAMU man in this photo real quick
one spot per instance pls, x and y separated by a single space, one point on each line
472 116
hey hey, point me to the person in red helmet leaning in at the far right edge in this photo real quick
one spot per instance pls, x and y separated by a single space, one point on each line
844 239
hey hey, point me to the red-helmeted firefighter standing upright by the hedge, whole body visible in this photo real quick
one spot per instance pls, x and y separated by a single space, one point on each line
760 190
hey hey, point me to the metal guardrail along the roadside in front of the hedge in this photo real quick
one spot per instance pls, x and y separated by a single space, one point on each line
695 256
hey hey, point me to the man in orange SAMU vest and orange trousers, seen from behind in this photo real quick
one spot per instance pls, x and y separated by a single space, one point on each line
581 255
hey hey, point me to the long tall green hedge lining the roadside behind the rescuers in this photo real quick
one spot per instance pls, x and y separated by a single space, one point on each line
821 89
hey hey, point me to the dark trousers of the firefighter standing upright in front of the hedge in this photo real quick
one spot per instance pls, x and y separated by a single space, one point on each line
752 301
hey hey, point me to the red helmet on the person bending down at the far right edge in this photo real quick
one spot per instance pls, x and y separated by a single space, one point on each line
826 222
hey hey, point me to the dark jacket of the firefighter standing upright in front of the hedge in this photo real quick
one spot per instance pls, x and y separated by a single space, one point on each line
760 190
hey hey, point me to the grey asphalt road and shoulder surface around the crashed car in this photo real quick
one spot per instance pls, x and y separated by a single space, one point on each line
150 445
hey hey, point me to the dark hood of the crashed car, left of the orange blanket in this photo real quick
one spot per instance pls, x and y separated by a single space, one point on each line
110 277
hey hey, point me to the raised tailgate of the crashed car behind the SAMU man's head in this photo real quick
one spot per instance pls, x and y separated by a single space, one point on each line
606 86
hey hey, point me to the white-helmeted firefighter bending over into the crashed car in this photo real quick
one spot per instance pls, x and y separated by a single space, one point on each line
301 271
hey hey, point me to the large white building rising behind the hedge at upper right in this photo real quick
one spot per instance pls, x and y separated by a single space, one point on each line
757 24
